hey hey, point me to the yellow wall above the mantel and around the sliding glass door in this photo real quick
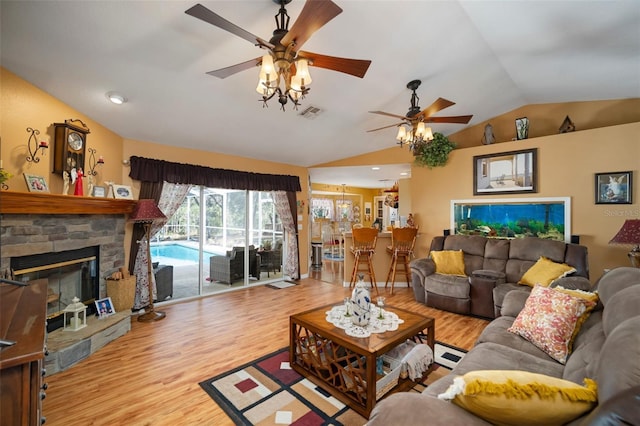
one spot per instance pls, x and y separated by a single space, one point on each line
24 105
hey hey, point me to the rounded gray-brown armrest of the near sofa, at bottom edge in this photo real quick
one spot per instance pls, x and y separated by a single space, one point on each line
408 408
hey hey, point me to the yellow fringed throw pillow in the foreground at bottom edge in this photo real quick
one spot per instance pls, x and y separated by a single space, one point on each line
511 397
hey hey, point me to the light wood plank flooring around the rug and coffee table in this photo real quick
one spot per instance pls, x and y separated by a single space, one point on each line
150 376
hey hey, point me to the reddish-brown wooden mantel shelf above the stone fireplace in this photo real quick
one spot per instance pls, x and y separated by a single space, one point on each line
38 203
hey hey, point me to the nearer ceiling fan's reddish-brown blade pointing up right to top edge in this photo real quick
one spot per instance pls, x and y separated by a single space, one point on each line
313 16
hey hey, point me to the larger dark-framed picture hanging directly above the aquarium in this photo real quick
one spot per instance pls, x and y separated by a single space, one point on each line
512 172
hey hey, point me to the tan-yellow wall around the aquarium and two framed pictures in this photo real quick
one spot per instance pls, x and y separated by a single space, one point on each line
566 167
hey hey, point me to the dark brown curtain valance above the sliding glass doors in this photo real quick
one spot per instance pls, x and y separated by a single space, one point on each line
152 170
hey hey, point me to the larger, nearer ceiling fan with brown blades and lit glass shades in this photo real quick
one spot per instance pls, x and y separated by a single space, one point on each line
284 60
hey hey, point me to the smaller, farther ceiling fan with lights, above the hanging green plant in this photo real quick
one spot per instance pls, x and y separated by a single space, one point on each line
417 118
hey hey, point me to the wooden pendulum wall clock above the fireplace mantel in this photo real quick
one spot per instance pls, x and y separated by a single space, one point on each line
70 144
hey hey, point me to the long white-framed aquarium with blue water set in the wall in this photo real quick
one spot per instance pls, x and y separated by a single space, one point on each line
547 218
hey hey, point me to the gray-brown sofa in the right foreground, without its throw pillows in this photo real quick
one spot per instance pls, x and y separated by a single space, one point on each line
606 349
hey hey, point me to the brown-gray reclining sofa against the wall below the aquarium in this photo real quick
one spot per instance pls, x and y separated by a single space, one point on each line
493 267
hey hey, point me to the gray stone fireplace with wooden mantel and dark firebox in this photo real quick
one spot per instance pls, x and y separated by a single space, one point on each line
83 238
